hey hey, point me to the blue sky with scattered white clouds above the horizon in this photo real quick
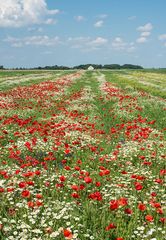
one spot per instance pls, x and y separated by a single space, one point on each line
72 32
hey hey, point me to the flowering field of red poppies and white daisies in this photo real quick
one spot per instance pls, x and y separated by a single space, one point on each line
82 155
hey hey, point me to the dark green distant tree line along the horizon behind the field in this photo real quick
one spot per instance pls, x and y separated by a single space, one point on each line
82 66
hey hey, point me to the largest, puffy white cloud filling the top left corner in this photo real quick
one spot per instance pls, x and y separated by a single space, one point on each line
17 13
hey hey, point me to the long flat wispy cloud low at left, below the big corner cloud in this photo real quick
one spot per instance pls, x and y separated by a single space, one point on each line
33 40
